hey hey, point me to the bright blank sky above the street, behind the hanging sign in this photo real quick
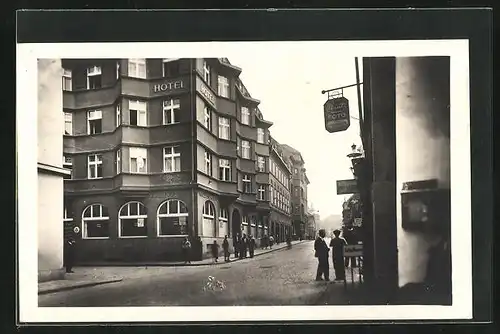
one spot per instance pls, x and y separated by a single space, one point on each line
289 88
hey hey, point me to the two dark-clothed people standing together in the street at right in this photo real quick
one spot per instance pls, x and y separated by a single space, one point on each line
322 250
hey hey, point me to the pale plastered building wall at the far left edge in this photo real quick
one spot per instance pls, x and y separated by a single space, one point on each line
50 170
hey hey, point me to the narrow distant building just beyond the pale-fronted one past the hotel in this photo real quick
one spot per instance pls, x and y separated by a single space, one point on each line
299 189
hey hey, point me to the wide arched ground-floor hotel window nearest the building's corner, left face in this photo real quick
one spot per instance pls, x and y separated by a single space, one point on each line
172 218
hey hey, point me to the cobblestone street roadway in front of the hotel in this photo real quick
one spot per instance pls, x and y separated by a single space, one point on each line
284 277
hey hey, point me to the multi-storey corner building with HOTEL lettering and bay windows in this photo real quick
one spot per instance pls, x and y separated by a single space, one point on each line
160 150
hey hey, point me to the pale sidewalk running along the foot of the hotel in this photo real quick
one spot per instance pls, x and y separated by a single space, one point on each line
91 276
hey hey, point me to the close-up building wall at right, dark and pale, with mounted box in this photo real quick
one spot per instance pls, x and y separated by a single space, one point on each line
405 176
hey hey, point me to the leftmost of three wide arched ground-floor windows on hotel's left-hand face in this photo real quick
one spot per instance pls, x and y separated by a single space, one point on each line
95 222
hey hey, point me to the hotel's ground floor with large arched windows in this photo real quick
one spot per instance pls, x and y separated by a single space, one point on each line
151 226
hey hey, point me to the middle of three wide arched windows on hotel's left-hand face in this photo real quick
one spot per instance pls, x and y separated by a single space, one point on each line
132 219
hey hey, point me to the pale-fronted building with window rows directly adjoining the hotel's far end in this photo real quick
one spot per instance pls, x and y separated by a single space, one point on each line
280 180
